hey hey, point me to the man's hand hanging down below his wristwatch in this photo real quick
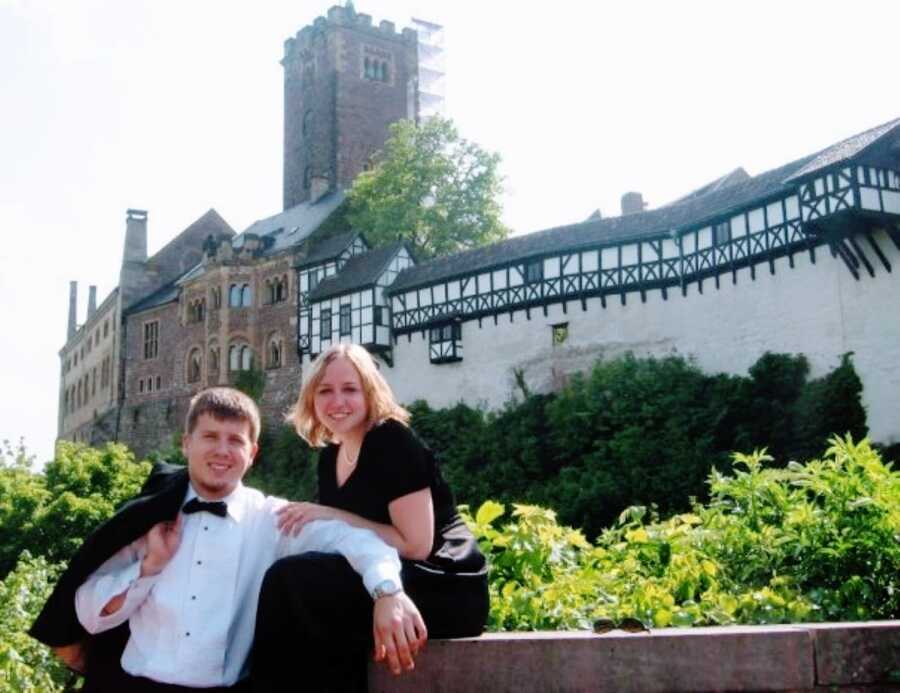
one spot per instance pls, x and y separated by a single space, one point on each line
399 631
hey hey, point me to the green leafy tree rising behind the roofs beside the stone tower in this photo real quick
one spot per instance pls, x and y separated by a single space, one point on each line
431 188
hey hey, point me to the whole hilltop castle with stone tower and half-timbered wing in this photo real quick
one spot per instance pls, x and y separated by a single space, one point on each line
799 259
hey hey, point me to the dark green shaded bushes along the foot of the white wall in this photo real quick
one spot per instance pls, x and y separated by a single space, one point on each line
638 431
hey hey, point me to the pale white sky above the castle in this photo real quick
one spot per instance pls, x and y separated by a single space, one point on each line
175 106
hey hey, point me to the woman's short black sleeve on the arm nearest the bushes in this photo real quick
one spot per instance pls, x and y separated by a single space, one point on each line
405 463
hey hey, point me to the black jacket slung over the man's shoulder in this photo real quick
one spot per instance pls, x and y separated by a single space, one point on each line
159 500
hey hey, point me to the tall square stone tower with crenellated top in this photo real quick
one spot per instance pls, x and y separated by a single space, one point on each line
345 82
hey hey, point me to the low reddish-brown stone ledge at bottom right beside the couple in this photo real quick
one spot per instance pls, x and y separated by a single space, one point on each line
733 658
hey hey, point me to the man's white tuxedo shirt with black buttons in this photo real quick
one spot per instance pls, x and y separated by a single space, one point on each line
193 623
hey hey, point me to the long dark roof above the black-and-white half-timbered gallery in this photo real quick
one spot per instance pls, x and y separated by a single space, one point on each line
713 201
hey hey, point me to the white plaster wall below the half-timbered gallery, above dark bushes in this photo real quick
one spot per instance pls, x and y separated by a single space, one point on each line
819 310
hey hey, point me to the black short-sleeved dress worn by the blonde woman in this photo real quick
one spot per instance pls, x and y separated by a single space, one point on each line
314 620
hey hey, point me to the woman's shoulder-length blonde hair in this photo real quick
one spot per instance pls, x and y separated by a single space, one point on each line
379 397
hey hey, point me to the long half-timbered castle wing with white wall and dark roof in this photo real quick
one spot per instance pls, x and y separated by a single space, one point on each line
800 259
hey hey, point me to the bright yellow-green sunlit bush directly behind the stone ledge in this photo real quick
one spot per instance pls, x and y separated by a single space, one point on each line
813 542
